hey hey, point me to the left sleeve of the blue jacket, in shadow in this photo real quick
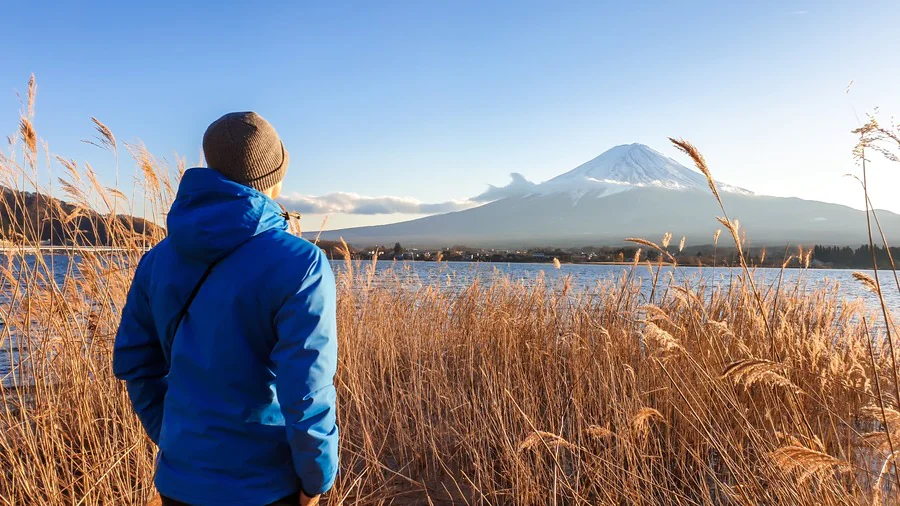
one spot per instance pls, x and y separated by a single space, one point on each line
138 357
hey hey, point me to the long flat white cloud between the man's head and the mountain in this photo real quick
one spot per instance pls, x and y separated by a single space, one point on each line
352 203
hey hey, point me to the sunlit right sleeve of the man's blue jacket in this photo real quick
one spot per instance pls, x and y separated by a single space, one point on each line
305 361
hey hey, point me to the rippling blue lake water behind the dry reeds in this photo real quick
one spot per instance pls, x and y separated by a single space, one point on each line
457 275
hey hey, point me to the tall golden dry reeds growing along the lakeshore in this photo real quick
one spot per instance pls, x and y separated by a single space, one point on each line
501 393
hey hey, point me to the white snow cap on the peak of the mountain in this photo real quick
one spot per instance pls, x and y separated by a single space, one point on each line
625 167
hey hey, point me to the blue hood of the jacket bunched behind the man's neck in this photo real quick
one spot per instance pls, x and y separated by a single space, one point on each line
212 215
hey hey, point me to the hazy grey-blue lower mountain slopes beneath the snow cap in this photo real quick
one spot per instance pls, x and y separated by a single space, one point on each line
538 220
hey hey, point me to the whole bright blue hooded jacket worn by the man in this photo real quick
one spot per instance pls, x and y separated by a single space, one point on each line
241 399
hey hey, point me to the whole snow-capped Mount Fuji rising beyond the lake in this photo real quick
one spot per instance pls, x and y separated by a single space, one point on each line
628 191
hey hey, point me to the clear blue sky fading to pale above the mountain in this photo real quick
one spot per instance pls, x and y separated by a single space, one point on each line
432 101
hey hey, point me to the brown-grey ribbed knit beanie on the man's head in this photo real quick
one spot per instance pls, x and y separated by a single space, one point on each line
245 148
